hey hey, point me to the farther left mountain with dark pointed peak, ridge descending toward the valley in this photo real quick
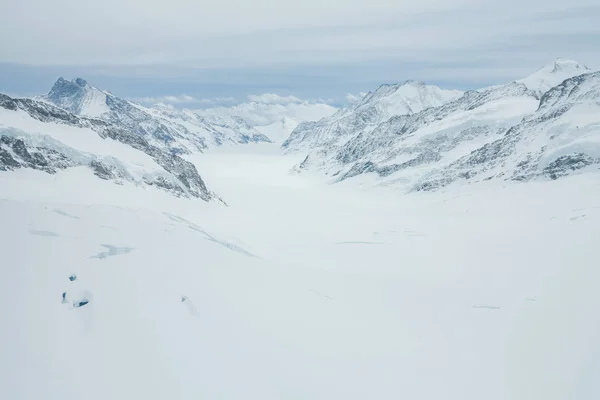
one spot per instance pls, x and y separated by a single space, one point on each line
179 131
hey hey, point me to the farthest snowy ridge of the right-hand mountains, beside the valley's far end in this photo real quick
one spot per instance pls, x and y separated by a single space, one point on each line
364 116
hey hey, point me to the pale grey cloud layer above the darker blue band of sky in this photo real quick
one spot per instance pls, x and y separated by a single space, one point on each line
266 32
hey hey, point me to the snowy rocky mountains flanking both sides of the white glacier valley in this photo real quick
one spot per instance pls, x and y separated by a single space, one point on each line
413 135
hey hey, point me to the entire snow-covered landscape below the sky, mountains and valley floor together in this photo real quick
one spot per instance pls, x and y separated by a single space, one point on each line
420 243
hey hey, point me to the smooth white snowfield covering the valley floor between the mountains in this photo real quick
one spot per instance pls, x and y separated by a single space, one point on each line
472 292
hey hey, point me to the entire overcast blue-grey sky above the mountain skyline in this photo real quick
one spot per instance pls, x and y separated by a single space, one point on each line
313 49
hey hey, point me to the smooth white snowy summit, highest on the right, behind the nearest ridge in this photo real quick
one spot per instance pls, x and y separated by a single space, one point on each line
552 74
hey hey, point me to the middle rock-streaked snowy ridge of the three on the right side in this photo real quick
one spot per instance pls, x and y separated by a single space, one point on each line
407 146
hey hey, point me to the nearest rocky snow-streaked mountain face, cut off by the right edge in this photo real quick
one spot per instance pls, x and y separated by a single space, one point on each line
560 138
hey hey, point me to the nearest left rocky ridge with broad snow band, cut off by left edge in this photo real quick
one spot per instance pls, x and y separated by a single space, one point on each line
37 135
